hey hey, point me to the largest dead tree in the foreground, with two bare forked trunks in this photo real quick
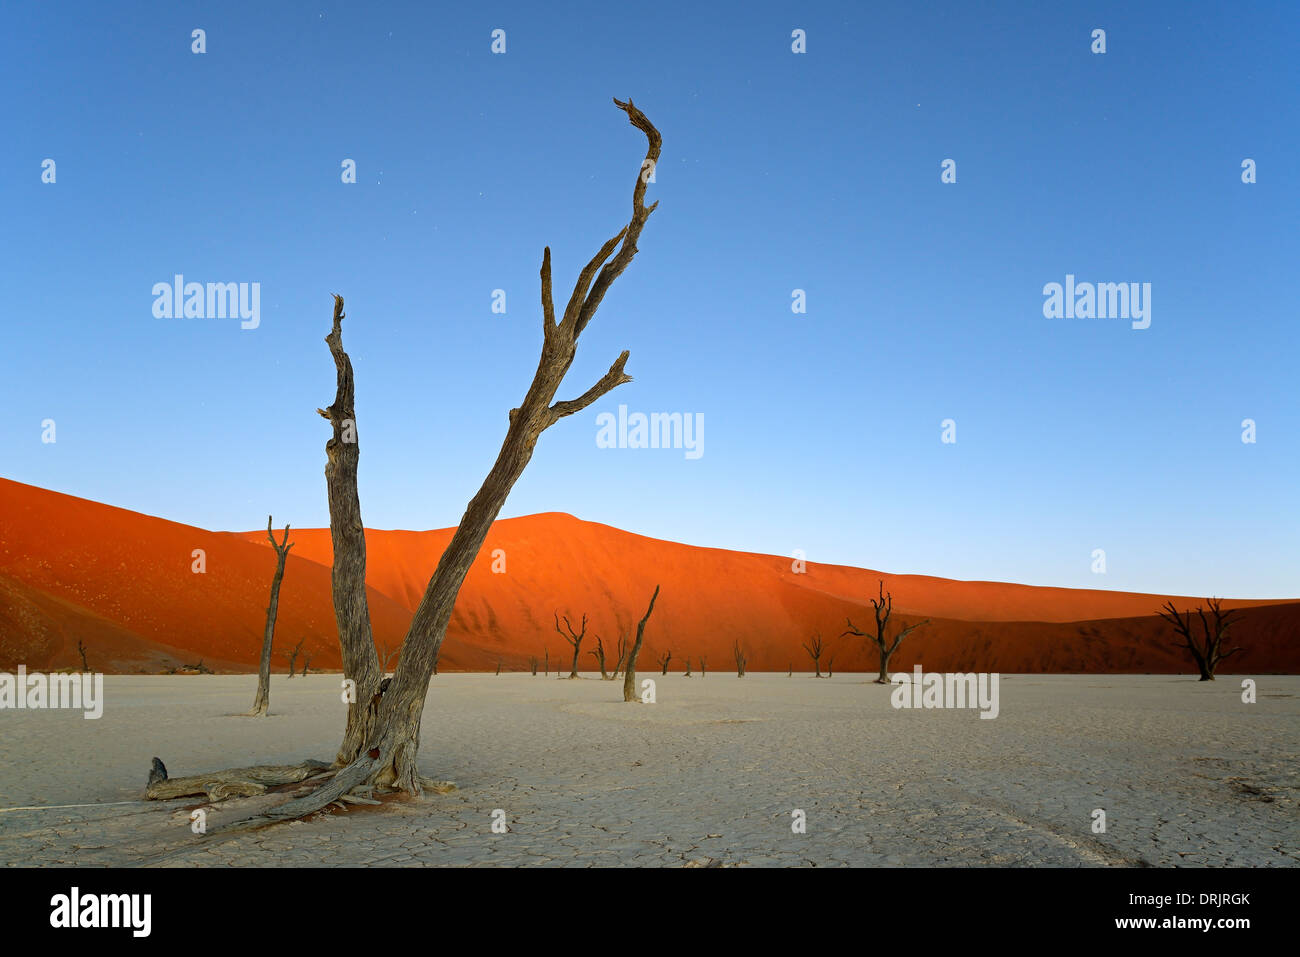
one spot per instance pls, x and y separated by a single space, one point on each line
382 751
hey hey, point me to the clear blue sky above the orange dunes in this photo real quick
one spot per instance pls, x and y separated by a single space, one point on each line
779 172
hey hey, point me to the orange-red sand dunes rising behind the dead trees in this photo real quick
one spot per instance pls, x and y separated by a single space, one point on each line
123 583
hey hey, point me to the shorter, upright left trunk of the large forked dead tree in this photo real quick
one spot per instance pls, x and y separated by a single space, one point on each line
348 536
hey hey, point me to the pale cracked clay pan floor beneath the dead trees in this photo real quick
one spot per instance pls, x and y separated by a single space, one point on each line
1188 774
